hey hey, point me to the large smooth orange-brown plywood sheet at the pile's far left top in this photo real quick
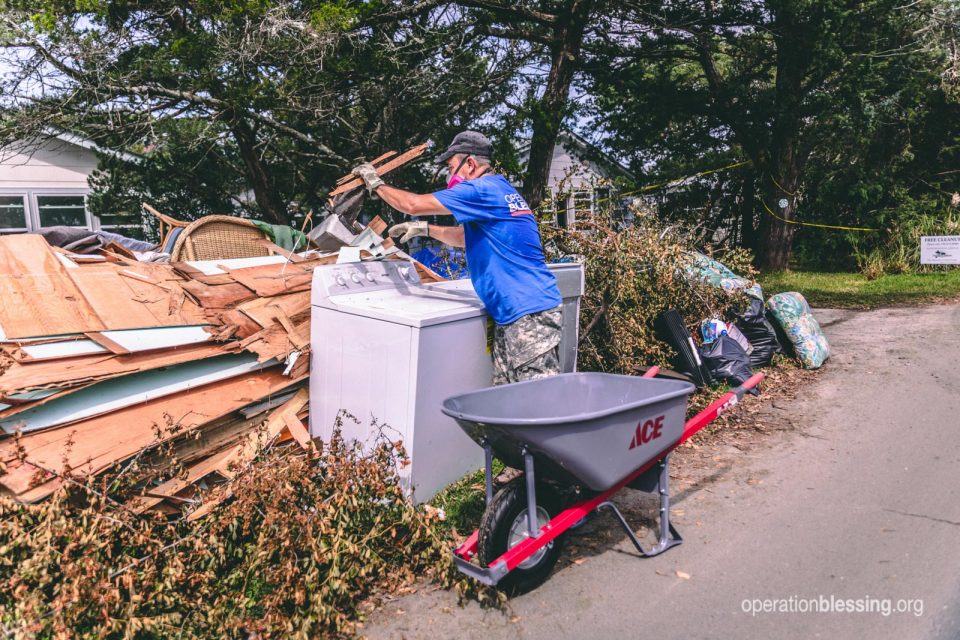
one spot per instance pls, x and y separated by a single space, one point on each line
38 297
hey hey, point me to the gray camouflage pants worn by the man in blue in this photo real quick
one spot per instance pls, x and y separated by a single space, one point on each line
528 348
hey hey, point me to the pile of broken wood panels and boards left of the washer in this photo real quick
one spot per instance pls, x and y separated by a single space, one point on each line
105 359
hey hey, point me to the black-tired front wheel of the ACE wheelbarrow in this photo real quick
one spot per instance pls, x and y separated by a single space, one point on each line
504 525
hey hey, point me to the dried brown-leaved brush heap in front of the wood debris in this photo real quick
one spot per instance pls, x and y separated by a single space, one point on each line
304 541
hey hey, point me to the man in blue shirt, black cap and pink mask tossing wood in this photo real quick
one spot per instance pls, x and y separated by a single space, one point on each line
500 236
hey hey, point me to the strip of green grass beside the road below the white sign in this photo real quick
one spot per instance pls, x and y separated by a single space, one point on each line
854 290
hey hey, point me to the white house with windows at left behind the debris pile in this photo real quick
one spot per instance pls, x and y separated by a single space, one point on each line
43 183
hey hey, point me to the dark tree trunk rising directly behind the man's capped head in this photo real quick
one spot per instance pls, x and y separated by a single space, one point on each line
552 107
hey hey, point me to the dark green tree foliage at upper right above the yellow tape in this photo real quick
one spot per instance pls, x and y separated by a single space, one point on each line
847 98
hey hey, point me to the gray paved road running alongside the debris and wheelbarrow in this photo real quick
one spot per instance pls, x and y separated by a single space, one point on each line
860 500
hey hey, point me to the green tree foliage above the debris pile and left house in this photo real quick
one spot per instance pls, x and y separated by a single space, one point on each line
277 99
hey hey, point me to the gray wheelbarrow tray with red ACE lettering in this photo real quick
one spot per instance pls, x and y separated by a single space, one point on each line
581 428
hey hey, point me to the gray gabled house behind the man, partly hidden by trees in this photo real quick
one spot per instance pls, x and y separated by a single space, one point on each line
583 180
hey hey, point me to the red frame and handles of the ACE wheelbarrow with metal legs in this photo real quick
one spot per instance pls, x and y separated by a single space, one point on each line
514 556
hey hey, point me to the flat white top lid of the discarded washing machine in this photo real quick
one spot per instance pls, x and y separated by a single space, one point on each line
411 306
